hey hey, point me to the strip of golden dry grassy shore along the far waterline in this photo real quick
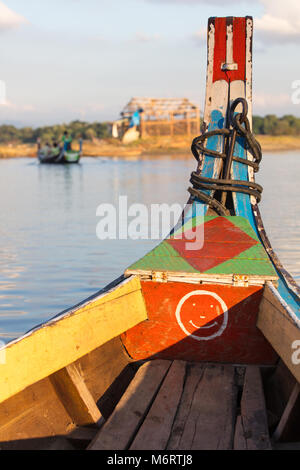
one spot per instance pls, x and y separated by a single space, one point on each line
176 147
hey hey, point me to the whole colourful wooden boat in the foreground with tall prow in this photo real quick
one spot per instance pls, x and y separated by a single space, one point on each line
197 345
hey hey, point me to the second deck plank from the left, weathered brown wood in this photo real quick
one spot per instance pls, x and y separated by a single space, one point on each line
155 430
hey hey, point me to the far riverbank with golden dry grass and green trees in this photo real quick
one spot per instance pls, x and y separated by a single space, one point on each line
274 134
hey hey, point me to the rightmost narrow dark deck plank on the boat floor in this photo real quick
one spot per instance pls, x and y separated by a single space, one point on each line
253 411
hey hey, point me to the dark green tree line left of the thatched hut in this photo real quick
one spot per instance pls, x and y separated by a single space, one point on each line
78 129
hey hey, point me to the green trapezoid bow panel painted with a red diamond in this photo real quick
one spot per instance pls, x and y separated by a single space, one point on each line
228 245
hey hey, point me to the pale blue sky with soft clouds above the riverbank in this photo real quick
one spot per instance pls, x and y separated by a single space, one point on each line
85 59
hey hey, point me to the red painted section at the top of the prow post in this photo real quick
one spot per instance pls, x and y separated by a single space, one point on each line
239 50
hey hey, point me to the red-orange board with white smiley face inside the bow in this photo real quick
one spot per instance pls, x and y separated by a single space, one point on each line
212 323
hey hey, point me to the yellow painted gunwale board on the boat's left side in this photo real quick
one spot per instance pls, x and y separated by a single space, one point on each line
67 338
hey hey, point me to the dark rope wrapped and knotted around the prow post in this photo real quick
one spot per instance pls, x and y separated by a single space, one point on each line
240 127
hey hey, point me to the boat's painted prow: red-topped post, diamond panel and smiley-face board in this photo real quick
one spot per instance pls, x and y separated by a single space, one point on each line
203 303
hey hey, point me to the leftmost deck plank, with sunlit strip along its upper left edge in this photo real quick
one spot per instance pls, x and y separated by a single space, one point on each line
118 432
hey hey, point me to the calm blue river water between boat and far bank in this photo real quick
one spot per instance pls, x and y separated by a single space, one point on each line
50 257
